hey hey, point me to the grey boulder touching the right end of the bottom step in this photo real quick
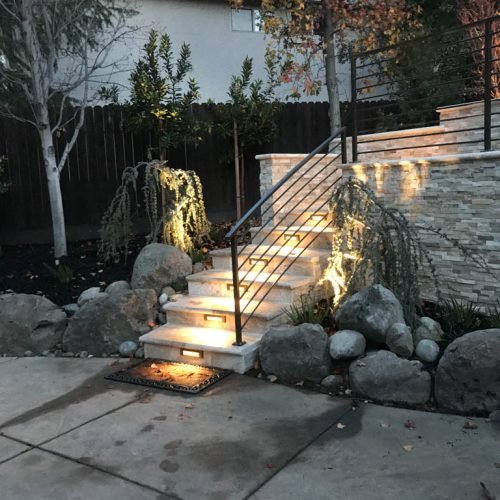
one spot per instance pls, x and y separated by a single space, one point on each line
296 353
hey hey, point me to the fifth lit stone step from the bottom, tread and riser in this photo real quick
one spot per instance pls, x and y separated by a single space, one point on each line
294 236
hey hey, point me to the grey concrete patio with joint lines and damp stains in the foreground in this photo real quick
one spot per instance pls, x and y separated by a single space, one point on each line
66 433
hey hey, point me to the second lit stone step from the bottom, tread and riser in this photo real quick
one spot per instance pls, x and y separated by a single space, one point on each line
218 312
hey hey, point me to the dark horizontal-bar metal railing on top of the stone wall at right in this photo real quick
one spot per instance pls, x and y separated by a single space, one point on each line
417 76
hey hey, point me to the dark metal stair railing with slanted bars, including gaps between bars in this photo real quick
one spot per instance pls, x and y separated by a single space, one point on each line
271 229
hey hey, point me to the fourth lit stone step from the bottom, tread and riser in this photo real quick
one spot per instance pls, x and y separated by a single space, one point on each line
276 259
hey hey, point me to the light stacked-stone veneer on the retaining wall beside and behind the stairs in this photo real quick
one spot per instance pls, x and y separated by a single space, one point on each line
459 194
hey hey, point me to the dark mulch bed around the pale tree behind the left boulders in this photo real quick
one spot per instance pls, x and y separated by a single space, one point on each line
22 270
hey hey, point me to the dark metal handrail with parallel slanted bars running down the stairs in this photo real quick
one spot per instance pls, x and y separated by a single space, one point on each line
284 182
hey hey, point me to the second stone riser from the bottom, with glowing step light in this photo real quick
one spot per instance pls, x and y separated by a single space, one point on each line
197 319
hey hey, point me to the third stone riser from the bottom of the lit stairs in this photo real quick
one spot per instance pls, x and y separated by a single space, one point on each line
278 294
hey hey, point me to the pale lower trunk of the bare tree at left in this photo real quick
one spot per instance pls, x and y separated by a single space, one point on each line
55 195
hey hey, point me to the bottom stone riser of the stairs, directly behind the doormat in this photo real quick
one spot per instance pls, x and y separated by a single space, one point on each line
240 364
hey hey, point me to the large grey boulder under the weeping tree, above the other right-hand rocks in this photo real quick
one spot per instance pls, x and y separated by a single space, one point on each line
371 311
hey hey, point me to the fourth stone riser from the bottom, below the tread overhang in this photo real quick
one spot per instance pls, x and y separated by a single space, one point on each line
301 267
